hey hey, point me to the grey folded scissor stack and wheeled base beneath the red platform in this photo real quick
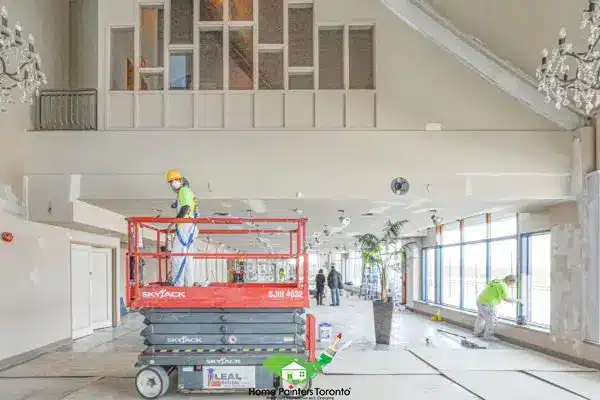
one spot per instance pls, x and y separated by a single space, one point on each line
205 345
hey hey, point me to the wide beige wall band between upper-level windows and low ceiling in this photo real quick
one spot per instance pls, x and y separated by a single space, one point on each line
348 163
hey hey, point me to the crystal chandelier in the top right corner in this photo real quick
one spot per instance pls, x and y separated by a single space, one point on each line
554 74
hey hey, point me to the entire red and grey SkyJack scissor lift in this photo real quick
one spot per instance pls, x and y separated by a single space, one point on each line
217 337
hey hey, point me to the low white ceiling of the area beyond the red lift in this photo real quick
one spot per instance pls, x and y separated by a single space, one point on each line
321 213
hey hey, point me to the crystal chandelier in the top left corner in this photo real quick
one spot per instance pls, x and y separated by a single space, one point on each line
19 65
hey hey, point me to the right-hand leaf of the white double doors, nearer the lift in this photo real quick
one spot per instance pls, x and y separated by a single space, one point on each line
101 288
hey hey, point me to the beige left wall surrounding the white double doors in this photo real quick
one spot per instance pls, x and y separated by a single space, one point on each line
35 300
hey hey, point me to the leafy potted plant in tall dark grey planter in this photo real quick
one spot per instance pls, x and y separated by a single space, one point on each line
383 254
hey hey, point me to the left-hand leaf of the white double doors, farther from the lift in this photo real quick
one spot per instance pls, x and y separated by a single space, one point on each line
81 291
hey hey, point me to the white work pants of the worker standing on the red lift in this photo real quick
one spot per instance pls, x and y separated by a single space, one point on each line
182 267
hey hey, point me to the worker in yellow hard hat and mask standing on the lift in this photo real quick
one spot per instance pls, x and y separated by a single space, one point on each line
182 266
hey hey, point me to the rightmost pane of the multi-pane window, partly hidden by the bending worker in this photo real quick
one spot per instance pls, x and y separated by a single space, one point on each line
503 261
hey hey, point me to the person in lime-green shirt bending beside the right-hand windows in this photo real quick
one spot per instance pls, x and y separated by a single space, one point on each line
495 292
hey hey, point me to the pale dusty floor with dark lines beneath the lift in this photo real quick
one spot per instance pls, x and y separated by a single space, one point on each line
101 366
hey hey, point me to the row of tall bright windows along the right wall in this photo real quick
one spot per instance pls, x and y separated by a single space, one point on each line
482 248
